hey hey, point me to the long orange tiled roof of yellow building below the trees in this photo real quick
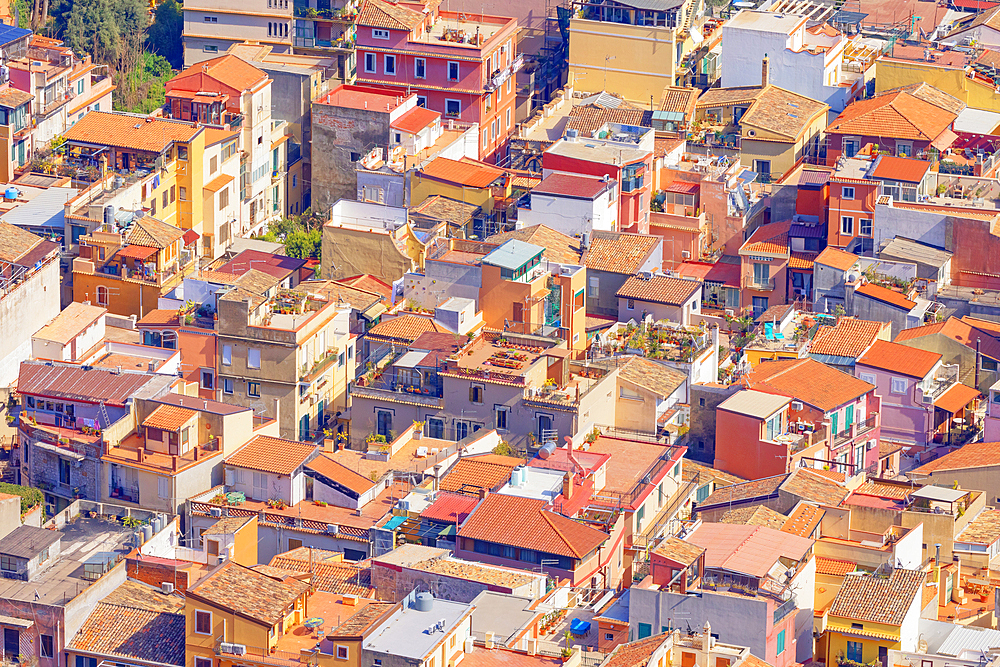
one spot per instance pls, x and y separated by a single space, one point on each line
120 130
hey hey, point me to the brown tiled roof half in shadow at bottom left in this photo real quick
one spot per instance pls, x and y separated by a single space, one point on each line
129 633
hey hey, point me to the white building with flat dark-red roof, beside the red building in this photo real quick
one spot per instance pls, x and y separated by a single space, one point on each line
572 204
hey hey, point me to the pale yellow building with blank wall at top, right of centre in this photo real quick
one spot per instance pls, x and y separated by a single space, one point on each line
630 51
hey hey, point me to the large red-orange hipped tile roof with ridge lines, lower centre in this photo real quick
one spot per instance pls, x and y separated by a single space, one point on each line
536 528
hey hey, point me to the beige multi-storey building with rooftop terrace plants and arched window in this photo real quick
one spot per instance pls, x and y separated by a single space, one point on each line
288 354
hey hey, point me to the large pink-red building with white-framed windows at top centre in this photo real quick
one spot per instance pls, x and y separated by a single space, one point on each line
461 65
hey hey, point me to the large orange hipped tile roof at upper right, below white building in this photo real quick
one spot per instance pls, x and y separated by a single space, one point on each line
897 115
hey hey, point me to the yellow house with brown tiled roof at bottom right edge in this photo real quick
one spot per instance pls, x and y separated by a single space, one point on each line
872 614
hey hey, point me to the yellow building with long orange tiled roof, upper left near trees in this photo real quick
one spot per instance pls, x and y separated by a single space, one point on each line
189 174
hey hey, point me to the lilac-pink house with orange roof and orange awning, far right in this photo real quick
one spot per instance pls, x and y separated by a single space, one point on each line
923 396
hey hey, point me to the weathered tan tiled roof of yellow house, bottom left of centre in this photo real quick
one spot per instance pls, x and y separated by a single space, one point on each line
248 593
